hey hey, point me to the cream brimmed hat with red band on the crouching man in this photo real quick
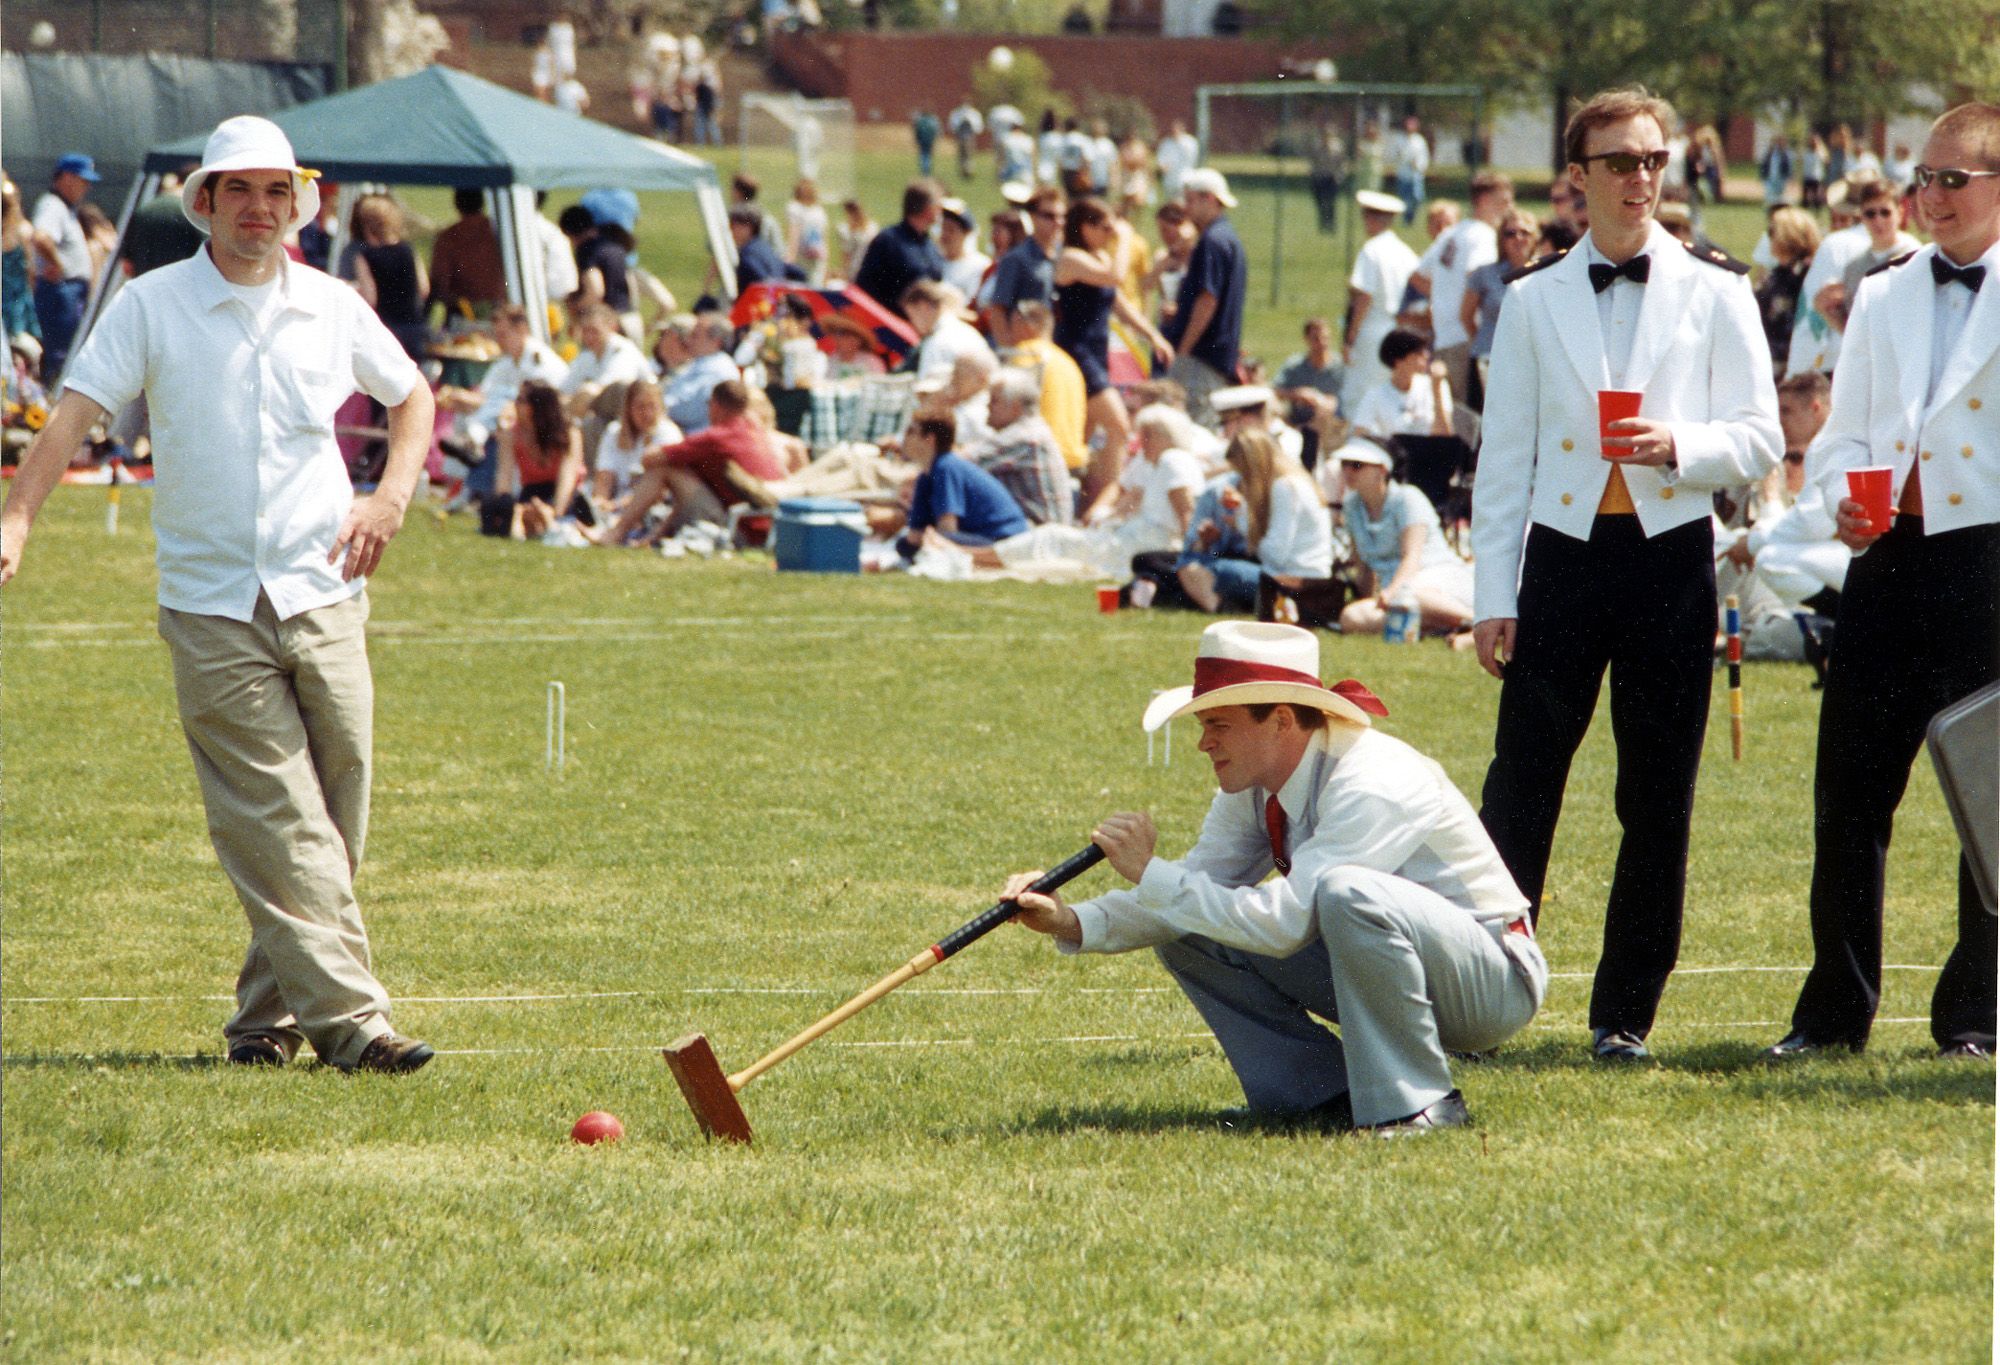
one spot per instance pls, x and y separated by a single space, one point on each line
1243 663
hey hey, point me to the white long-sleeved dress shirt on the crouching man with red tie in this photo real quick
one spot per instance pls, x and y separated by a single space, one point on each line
1357 800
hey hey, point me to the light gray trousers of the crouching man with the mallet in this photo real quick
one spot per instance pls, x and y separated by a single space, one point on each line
1399 968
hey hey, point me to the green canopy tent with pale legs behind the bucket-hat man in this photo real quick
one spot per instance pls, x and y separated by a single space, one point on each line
445 127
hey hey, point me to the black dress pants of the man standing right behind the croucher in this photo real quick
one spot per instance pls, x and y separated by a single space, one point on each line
1645 609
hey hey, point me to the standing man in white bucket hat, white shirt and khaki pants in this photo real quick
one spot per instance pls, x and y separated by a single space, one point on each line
263 553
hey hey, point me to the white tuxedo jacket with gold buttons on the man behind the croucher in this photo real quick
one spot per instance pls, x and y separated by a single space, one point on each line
1701 359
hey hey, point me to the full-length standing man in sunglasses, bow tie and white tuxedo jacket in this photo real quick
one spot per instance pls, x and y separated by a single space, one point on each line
1599 555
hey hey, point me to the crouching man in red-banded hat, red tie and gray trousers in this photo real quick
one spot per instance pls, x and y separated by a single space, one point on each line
1391 914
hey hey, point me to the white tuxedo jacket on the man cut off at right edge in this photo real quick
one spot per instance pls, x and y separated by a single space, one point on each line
1883 407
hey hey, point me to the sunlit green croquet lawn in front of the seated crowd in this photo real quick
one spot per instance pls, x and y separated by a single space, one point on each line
777 790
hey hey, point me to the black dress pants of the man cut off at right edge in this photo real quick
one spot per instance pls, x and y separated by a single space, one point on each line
1919 629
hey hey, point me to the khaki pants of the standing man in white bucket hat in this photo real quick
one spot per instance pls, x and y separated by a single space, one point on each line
279 720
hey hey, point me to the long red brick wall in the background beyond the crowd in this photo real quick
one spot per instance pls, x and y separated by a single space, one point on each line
889 77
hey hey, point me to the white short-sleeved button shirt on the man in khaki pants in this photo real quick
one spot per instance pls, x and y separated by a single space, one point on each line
249 485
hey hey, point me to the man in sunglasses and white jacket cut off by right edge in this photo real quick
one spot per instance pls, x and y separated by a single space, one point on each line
1919 391
